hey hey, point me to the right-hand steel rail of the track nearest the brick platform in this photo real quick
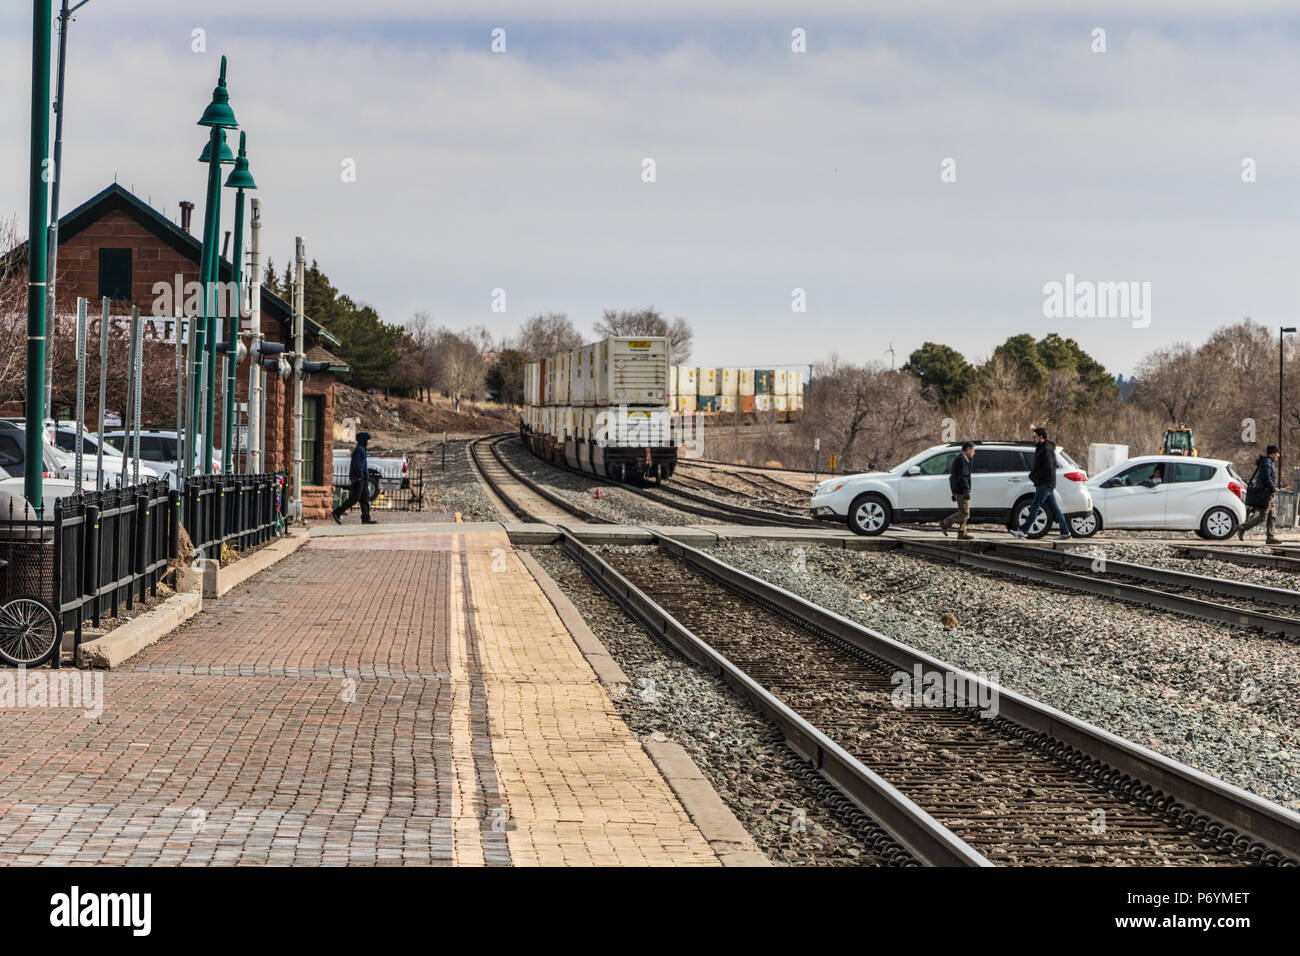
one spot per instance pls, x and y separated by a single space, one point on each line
1232 808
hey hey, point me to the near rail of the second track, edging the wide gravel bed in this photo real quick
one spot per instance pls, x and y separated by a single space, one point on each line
1099 586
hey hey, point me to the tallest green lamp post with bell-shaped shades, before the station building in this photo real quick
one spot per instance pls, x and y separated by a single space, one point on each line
218 118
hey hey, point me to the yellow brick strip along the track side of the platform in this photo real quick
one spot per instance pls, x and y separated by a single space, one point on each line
578 786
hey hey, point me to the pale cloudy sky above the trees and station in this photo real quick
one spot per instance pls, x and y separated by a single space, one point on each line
774 170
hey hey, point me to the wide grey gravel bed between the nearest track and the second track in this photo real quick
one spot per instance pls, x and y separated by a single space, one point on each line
1220 699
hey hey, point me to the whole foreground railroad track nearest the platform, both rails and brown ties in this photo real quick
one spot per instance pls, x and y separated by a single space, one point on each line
948 784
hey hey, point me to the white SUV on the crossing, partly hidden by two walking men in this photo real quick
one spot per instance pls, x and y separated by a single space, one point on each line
917 491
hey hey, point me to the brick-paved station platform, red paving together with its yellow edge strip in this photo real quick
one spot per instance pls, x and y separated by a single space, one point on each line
401 699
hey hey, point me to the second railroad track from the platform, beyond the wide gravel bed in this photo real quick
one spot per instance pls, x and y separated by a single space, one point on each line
1272 611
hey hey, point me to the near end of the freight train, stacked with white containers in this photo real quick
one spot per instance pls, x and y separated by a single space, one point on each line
604 409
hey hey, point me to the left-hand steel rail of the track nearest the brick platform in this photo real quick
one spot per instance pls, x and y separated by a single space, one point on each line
913 828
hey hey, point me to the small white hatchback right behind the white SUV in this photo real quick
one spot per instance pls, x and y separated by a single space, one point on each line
1202 495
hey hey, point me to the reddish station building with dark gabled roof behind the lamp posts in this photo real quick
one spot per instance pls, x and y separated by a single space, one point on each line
118 245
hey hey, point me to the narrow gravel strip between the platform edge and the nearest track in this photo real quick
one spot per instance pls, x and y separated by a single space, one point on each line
747 762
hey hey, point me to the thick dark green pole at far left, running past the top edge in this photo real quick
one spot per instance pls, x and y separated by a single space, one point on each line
38 222
